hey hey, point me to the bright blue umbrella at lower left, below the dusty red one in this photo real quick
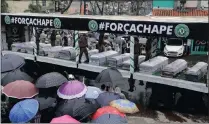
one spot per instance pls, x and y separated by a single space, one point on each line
24 111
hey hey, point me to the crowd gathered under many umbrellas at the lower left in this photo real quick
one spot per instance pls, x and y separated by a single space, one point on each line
52 95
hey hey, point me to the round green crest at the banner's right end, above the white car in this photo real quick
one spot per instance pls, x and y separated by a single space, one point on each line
182 30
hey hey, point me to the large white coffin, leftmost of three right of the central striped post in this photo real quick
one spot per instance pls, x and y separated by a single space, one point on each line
153 65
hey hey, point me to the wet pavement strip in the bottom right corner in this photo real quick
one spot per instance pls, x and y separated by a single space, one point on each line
154 116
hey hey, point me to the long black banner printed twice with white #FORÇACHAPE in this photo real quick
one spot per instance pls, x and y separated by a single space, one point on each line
162 29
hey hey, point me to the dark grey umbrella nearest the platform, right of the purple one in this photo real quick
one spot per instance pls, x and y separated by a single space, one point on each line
112 76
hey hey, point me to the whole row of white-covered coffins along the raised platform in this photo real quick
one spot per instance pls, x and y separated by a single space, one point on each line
114 59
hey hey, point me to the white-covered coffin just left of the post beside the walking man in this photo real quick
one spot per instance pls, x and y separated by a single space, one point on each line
67 53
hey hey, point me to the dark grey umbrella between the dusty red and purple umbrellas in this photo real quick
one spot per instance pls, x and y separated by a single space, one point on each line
50 80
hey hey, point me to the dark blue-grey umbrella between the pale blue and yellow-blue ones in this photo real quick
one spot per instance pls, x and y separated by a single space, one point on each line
105 98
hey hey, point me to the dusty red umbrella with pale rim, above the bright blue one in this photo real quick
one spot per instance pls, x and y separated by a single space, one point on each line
20 89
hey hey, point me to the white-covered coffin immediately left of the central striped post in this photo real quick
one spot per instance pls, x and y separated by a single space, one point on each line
118 60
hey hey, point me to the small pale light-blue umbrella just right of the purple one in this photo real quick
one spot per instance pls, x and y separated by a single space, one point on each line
92 92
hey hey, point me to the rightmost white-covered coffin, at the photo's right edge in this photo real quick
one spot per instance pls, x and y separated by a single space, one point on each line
196 72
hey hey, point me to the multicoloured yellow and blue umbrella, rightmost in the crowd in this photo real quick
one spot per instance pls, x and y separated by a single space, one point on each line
125 106
